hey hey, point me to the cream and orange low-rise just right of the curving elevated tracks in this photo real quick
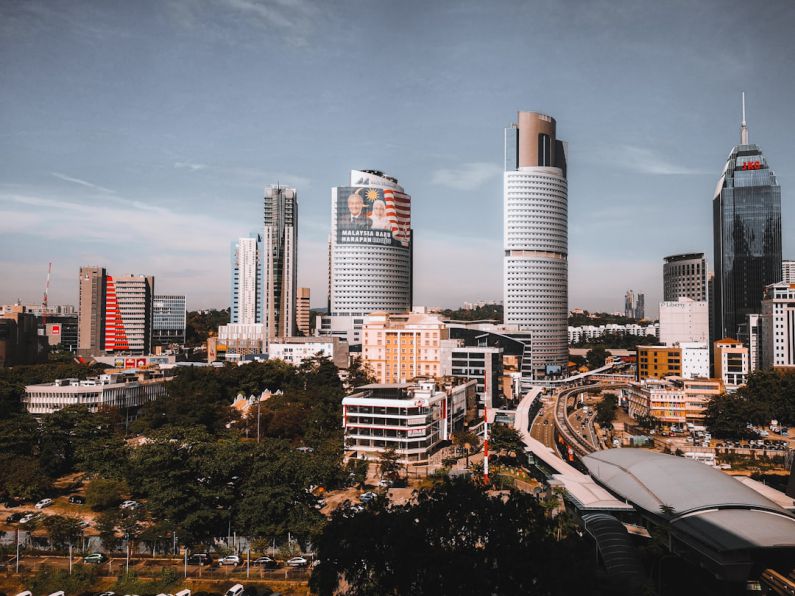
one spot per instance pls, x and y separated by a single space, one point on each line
675 402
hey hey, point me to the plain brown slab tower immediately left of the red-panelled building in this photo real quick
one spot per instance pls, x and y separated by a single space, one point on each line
91 310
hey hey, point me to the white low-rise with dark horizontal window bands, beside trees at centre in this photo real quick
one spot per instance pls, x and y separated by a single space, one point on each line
412 418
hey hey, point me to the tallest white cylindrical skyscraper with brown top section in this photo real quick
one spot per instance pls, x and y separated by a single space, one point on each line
535 282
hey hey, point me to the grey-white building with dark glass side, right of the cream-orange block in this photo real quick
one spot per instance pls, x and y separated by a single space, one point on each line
481 363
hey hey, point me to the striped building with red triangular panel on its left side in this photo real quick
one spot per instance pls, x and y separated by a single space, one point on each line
128 314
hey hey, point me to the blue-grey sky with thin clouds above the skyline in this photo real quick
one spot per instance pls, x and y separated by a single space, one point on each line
139 135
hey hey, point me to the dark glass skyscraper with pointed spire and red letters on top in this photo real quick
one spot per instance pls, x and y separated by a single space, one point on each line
747 235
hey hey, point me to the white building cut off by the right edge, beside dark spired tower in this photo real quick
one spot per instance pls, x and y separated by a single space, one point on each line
778 326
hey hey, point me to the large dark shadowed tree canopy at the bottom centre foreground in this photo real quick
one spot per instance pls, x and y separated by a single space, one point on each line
453 539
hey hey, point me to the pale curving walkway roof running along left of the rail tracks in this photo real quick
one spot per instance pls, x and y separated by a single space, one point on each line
586 495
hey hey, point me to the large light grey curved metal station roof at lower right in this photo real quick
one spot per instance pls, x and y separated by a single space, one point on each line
671 486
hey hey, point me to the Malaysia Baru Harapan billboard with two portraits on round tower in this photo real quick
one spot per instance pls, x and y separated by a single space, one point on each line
367 215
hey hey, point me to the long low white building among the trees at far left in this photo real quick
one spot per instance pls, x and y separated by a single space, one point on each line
126 391
